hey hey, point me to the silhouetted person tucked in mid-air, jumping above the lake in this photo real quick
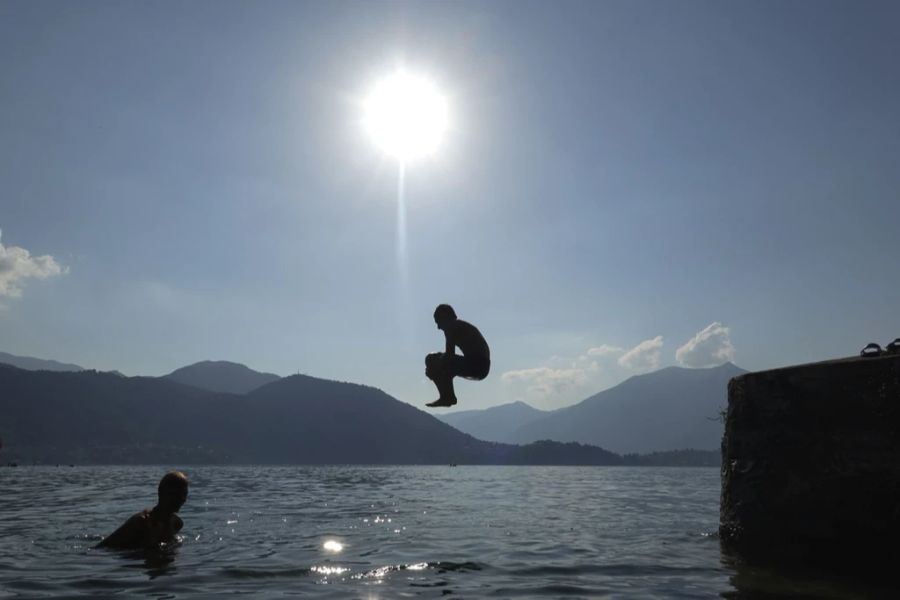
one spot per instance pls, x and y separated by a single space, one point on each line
442 367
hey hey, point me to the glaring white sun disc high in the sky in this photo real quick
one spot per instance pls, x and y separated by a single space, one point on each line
406 116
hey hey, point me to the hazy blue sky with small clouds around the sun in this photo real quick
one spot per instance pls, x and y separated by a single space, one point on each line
625 185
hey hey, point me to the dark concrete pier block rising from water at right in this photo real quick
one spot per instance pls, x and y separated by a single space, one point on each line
811 463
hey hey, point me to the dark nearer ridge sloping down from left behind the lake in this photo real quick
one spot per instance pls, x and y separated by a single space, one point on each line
93 417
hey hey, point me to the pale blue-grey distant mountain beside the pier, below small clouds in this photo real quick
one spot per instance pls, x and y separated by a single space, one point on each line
669 409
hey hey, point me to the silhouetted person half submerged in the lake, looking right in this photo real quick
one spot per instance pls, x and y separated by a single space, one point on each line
152 527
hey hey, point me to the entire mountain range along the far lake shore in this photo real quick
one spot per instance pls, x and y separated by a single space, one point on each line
220 411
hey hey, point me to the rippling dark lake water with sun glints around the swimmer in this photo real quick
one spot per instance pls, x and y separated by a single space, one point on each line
385 532
